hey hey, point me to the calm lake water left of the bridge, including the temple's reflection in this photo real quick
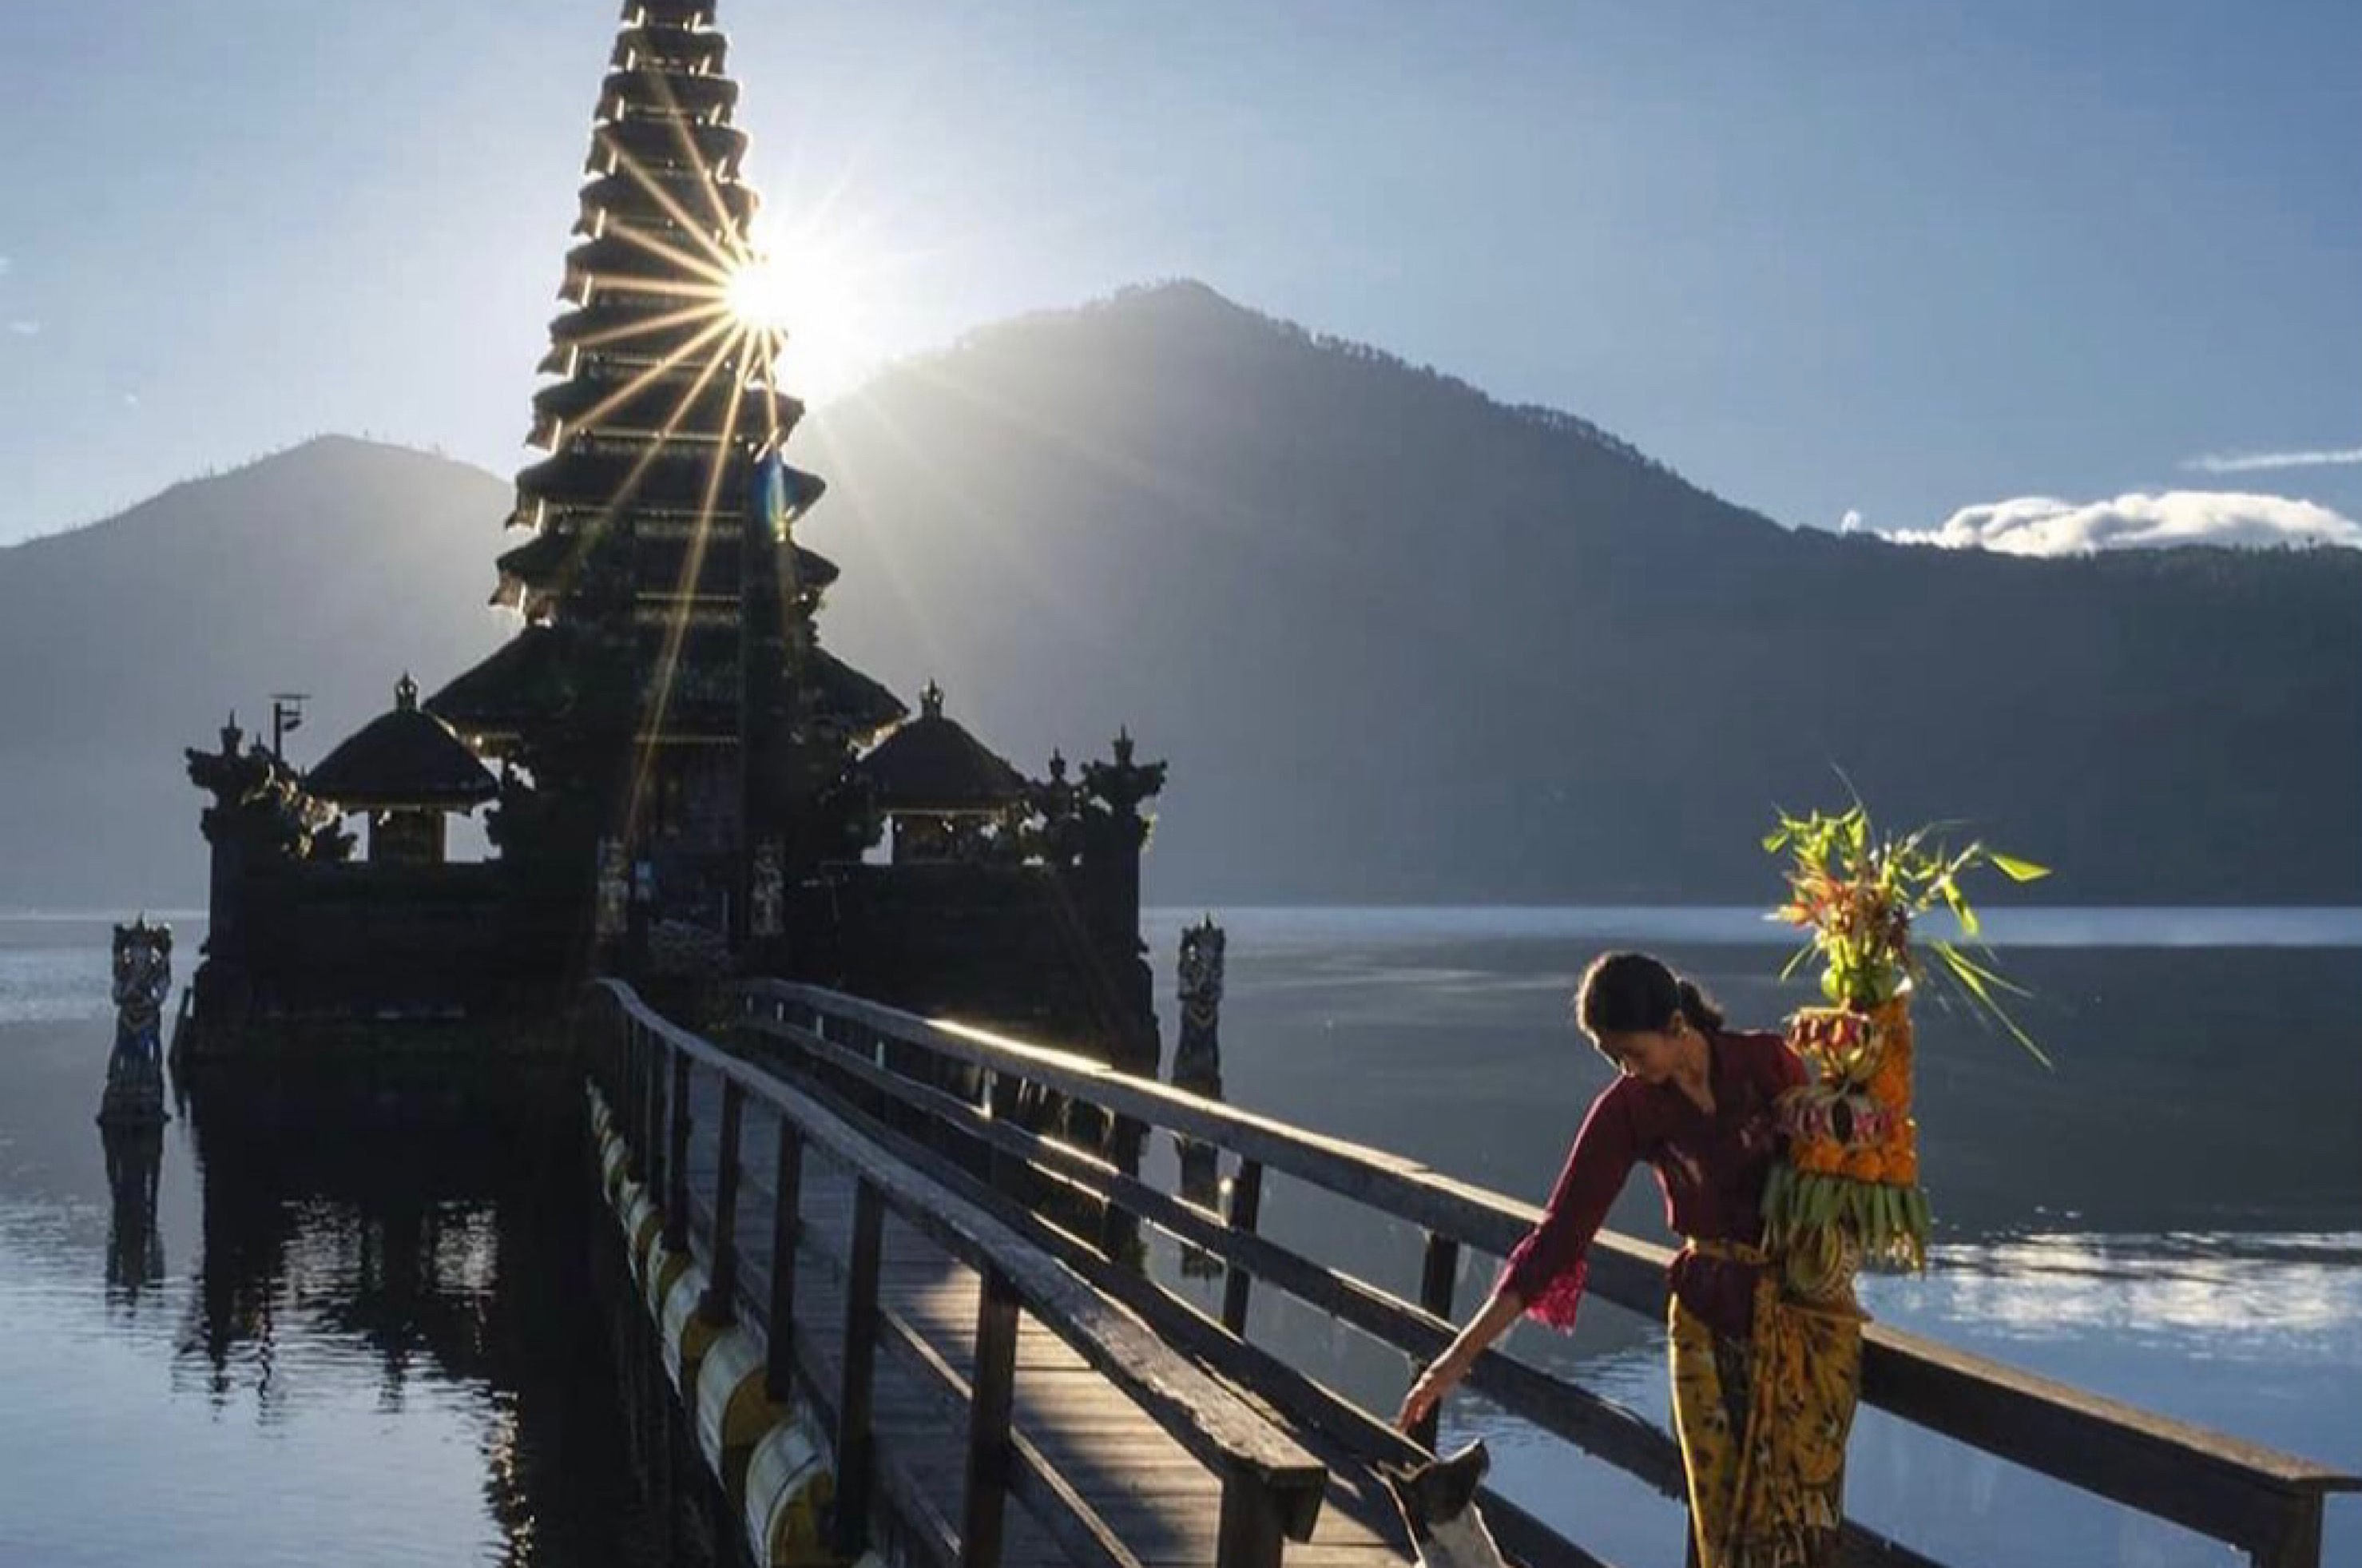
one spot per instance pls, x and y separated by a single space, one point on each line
337 1340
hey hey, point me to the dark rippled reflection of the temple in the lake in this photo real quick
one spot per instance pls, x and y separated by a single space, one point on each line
415 1239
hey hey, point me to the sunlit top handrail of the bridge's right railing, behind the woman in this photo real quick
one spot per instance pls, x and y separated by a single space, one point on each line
2257 1498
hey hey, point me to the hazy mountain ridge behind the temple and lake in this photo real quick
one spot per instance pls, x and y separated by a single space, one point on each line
1402 641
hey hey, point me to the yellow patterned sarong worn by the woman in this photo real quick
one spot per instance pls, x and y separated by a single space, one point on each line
1763 1425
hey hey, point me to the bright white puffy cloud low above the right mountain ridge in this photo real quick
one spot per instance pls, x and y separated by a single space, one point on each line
2044 525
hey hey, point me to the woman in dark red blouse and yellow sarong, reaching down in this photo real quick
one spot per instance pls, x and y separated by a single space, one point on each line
1763 1390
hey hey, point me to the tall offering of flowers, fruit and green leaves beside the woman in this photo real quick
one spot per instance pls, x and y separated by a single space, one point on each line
1848 1194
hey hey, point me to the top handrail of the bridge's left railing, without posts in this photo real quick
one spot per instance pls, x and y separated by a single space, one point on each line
1192 1406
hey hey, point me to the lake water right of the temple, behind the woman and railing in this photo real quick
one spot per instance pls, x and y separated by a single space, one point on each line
2172 1217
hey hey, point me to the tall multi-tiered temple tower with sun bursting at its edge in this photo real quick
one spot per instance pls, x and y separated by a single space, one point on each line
627 693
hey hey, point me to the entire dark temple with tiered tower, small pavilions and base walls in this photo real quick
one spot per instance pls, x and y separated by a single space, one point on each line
689 785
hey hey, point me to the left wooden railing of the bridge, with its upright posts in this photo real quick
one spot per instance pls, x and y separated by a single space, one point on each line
1272 1487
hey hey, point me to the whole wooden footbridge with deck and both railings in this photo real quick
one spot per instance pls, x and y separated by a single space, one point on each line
951 1291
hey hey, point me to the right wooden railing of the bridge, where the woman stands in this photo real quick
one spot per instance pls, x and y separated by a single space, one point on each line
2264 1503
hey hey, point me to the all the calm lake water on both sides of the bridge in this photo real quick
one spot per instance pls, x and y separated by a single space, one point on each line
322 1345
